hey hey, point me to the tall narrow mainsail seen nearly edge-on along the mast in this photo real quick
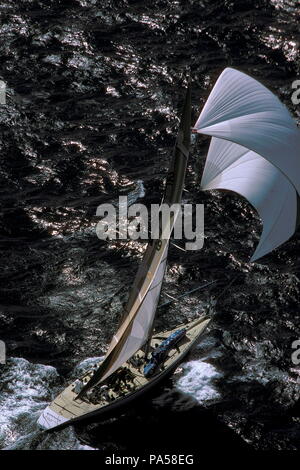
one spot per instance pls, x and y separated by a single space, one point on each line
141 306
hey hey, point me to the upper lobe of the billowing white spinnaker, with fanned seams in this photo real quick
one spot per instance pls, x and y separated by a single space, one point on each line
242 110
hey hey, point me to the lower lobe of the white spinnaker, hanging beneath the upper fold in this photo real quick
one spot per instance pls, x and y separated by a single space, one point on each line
235 168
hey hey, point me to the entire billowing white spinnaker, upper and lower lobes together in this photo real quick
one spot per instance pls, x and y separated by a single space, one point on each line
254 151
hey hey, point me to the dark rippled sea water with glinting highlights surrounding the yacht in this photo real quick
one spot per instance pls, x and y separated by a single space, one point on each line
94 90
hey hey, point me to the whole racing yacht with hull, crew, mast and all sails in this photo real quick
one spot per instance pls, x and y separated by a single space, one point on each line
254 152
